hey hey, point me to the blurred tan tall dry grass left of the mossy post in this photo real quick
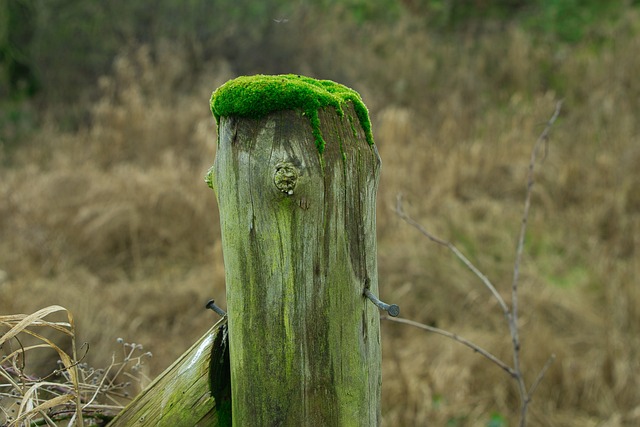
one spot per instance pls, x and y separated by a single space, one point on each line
115 221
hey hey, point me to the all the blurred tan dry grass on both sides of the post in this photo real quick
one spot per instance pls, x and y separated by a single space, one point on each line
114 221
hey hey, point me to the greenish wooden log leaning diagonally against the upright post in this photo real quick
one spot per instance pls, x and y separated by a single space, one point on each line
193 391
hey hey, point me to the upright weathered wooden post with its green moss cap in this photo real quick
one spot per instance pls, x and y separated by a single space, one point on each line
296 174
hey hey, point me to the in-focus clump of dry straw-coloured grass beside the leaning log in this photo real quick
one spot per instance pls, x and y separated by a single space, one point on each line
74 392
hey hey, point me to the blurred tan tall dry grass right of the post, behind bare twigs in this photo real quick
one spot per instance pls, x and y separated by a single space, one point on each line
466 177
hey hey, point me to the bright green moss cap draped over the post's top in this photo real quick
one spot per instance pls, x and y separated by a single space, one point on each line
256 96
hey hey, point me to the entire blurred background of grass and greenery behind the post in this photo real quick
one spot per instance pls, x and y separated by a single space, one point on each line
105 136
